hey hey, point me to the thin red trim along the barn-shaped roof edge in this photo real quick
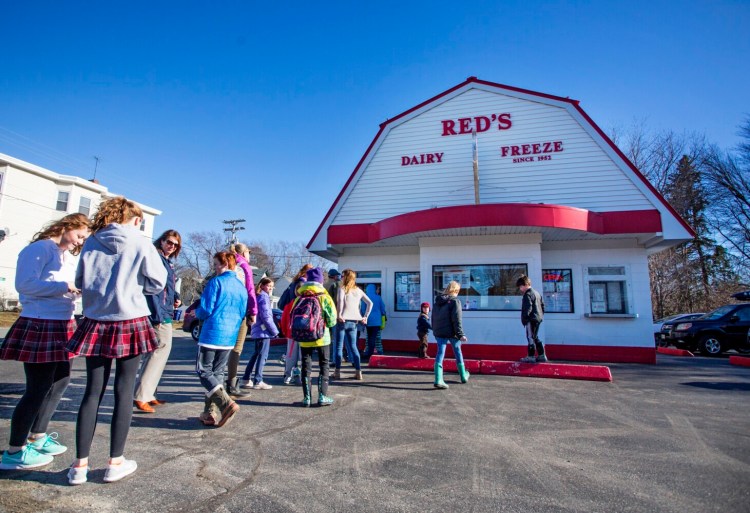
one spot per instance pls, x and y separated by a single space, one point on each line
475 80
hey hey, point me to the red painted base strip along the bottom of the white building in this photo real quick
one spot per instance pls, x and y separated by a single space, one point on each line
574 353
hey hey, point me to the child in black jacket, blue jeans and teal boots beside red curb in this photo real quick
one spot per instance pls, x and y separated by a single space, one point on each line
448 328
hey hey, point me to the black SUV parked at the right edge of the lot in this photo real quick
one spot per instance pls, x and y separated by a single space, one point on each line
724 328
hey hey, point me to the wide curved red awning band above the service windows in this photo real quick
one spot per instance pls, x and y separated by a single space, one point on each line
498 214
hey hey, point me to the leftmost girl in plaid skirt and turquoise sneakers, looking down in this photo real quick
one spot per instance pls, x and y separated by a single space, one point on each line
44 281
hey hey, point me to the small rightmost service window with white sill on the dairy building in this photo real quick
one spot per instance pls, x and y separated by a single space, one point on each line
608 291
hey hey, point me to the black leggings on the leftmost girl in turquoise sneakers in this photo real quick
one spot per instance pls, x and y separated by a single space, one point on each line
45 384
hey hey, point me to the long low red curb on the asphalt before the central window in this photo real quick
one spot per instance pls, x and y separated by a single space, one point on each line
501 368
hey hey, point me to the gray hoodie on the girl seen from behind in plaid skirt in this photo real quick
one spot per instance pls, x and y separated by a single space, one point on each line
118 265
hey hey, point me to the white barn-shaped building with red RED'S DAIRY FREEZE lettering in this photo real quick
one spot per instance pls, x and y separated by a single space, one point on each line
553 198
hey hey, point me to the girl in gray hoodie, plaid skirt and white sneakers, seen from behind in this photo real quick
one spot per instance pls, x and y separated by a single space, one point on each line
118 265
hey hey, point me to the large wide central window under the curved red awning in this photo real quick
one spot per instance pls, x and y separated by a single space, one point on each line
483 287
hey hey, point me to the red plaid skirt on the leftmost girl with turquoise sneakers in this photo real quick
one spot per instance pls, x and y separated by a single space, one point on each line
38 340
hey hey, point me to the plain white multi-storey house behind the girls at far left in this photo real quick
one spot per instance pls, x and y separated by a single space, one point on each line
31 197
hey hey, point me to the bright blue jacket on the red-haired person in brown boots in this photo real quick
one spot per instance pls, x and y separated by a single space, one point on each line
222 308
